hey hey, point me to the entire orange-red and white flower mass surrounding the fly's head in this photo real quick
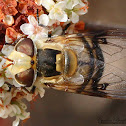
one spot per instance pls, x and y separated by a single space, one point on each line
35 19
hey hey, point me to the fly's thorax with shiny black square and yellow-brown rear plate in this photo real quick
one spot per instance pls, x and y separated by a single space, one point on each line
56 64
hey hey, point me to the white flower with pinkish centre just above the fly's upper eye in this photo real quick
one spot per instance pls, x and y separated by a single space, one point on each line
32 28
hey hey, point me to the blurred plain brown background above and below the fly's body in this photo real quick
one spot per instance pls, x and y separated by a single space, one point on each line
59 108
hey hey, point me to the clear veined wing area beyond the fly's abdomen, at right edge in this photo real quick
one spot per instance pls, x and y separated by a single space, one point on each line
115 66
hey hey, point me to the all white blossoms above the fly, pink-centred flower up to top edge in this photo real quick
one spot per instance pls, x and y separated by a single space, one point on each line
57 15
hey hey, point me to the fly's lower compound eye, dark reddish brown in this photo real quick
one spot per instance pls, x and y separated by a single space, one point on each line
26 77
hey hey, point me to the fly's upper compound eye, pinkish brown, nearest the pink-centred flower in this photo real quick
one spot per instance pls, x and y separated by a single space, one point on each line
25 46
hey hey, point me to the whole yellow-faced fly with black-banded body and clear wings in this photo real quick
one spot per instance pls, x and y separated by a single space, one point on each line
90 63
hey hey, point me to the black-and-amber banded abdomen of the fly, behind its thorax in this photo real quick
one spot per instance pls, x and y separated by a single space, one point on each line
90 63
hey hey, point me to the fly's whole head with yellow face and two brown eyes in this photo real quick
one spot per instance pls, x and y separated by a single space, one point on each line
23 62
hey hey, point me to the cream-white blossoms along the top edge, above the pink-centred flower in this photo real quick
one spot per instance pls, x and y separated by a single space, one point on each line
63 10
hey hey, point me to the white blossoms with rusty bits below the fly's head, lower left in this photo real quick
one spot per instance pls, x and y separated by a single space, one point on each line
11 103
